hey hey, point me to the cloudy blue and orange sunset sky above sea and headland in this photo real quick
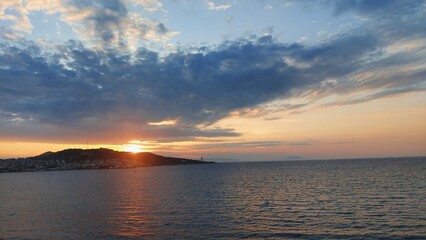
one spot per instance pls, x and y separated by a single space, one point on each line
223 80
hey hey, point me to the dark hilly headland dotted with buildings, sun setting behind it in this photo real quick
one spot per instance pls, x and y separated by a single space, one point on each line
102 158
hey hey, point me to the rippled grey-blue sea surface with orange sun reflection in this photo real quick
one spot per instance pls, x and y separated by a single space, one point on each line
333 199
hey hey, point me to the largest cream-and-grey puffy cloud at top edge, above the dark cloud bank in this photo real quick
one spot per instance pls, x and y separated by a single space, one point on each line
113 24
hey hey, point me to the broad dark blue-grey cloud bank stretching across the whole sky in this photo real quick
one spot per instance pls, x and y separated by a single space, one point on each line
74 92
